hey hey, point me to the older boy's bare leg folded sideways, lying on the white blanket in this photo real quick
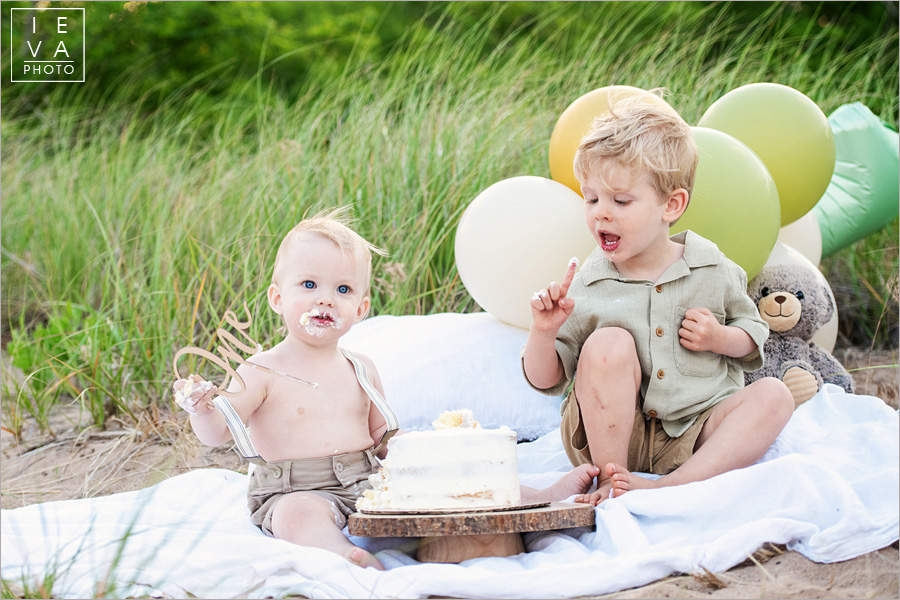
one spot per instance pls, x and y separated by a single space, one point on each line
737 434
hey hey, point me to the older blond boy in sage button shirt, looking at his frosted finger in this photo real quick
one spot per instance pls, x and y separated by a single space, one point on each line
655 331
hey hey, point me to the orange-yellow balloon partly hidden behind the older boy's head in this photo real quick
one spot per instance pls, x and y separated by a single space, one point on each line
575 122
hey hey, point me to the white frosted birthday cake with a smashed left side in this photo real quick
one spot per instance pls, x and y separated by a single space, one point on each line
459 465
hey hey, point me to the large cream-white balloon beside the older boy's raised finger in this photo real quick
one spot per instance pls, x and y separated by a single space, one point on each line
515 238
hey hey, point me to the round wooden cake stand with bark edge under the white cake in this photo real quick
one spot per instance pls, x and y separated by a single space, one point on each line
455 537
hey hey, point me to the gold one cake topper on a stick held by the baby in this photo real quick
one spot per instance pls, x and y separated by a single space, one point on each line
227 353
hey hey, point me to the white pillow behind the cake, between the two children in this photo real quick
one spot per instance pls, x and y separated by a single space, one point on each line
448 361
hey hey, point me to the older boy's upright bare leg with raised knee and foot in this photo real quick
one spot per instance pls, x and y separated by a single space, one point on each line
607 384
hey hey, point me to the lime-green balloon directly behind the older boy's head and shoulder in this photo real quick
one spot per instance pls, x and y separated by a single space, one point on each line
734 202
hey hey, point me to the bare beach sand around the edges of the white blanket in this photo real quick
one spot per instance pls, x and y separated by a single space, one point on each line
83 463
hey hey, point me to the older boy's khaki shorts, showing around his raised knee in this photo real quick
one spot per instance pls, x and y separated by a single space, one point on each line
650 450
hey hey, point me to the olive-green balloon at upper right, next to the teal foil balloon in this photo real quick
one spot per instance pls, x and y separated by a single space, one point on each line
788 132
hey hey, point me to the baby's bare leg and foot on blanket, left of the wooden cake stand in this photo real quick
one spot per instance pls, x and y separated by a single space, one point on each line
308 520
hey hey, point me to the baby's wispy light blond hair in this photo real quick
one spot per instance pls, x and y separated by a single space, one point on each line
334 225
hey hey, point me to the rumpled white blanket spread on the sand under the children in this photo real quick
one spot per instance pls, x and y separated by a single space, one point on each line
828 489
